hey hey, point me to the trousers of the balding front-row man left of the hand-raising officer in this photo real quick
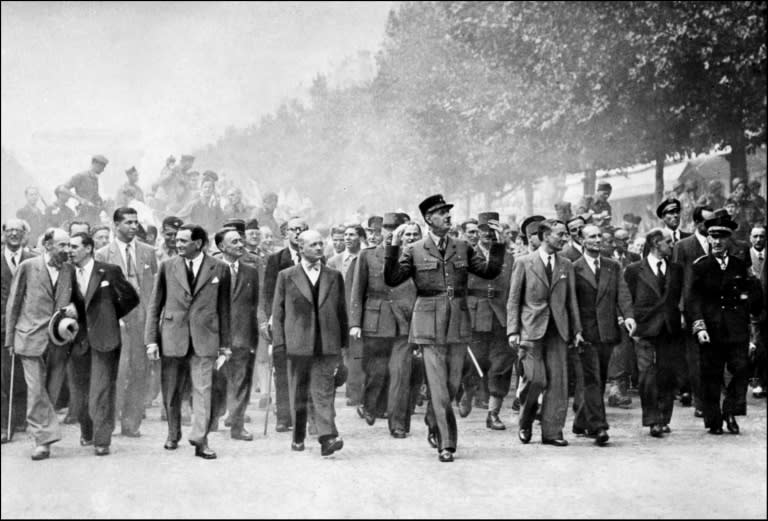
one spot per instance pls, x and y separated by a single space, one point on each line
312 376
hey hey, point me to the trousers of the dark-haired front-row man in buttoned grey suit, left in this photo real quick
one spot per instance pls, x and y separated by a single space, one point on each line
177 372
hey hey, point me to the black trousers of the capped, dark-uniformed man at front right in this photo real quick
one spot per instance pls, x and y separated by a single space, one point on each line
715 357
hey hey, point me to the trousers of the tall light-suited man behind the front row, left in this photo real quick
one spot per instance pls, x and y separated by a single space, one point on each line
133 375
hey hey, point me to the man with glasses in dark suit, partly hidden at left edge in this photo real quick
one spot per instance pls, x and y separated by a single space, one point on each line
14 254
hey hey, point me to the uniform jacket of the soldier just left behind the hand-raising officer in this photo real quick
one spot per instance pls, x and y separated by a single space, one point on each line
379 310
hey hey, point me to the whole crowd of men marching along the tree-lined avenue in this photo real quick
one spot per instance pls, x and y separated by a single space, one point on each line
104 315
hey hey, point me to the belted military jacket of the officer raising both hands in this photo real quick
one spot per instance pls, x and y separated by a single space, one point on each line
441 313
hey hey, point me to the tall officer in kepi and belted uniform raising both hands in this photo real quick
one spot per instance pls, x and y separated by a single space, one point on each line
441 323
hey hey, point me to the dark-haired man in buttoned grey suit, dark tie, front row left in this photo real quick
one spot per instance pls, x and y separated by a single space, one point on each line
188 323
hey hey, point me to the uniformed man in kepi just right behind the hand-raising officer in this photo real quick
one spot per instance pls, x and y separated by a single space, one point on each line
487 300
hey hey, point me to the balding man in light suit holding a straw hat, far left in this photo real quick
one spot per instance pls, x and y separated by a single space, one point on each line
41 286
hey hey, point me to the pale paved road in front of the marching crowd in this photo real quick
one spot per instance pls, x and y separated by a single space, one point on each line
688 474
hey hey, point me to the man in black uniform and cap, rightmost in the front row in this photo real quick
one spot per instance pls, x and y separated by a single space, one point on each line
720 302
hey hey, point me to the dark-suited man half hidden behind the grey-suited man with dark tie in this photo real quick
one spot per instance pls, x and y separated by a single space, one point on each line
238 371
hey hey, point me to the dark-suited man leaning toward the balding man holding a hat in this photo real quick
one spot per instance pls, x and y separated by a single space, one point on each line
104 297
